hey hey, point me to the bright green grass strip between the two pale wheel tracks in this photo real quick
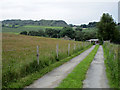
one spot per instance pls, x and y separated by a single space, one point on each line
76 77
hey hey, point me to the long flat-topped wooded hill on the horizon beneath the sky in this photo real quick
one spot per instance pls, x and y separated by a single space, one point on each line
12 23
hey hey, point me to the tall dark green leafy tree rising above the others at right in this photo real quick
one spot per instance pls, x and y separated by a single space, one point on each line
106 27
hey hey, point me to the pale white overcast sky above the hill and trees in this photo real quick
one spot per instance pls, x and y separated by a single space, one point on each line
71 11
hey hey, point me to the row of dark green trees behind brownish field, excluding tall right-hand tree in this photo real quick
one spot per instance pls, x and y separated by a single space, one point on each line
75 34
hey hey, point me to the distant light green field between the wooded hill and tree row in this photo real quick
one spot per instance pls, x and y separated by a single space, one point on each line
27 28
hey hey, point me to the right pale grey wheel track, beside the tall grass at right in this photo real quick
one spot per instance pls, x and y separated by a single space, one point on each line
96 75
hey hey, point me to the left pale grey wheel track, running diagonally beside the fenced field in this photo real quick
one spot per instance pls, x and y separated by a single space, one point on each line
53 78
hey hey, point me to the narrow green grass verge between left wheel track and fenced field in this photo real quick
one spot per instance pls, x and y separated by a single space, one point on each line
21 83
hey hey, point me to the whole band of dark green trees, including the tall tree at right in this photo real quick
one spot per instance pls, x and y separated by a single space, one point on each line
107 30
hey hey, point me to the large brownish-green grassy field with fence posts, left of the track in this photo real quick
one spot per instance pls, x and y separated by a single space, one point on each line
19 55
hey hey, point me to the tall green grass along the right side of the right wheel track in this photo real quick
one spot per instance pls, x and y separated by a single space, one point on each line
112 62
